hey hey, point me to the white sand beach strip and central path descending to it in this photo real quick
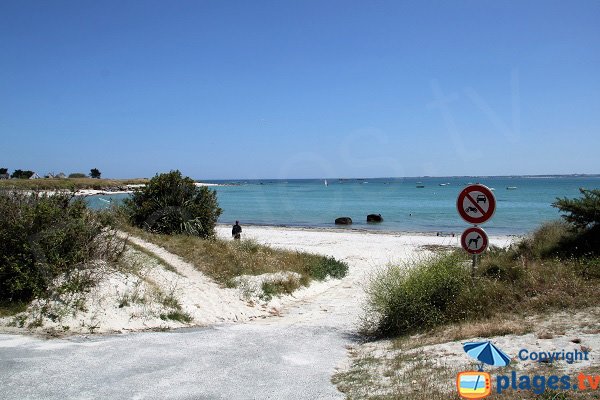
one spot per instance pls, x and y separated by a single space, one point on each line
338 303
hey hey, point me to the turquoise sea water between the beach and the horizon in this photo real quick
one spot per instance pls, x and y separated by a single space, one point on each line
403 206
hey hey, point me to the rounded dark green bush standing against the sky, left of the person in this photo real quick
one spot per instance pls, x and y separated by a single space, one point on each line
171 203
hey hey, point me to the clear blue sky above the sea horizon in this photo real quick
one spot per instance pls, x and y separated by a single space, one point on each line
300 89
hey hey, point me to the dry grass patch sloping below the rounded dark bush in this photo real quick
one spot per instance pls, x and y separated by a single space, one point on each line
225 260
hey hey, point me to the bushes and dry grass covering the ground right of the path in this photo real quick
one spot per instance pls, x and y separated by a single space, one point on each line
551 277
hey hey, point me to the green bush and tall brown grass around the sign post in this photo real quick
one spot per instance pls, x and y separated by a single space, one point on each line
535 275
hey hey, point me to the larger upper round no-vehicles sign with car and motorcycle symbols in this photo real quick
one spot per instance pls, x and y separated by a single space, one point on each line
476 204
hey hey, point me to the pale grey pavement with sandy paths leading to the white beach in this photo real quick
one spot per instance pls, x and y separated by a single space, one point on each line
288 357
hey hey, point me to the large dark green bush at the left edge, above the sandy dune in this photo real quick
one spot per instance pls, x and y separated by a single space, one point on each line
45 237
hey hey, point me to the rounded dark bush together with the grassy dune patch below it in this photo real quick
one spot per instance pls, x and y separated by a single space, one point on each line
172 212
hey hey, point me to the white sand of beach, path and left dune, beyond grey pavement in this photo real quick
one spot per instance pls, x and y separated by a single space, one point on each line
330 303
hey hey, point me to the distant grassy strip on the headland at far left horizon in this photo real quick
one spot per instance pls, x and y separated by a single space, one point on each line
68 183
